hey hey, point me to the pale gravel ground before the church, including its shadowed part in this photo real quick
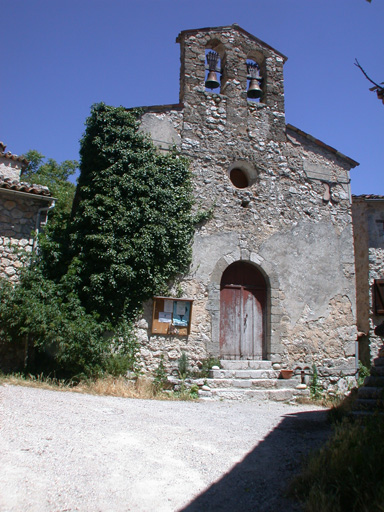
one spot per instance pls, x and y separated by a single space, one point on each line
62 451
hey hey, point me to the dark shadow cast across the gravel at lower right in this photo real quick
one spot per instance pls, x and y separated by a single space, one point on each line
258 483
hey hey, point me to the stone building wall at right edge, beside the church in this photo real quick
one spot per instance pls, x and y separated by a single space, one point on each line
368 220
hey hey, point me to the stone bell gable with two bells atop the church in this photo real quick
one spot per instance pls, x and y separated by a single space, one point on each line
236 51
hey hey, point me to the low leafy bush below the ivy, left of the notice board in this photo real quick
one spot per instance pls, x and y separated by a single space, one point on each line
66 340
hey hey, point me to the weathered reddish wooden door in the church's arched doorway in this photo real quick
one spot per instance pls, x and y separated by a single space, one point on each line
243 299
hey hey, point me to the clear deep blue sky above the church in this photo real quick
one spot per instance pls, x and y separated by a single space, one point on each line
60 57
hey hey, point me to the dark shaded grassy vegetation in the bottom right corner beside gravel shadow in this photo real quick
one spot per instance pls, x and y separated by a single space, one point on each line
347 474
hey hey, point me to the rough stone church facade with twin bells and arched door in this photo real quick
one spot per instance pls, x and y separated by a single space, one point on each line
273 271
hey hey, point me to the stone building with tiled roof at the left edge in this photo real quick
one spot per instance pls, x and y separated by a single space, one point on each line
23 209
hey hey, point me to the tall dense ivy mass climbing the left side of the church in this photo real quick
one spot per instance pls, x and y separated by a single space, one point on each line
132 226
